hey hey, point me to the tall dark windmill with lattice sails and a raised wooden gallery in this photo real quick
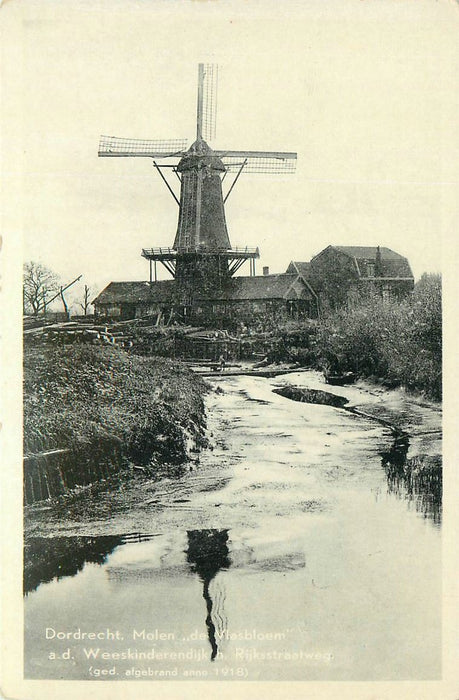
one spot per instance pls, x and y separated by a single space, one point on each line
201 258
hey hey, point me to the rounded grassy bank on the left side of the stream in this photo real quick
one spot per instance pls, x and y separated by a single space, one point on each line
104 408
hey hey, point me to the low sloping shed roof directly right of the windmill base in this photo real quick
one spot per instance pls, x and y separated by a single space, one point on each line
255 288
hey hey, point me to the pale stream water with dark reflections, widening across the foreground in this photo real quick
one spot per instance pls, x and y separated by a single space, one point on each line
289 553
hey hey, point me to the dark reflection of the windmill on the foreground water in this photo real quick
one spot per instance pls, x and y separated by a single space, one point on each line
208 553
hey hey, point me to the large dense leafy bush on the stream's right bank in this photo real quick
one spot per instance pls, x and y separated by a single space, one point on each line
399 342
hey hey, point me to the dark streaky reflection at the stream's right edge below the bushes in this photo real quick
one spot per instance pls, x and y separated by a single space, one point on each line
417 479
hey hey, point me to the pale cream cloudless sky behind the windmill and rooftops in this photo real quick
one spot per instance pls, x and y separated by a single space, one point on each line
365 92
